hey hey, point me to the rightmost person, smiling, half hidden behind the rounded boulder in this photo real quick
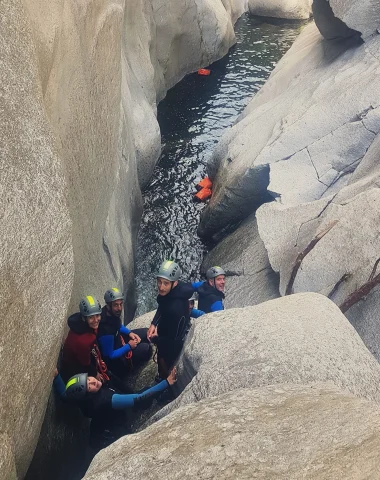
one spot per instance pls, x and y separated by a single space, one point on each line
211 292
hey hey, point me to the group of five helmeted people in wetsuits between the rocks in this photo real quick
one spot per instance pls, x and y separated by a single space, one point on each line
100 352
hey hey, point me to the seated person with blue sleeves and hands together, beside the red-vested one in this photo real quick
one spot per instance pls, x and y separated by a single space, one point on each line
121 348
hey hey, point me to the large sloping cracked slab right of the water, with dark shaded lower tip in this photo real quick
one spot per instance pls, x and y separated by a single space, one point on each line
290 138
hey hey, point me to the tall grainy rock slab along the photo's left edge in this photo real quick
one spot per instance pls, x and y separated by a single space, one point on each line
36 257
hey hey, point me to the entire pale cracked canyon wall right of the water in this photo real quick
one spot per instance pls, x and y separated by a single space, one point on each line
310 139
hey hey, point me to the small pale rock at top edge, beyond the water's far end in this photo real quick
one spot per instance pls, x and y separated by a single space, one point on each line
292 9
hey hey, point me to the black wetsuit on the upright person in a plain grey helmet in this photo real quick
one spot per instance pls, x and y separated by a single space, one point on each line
172 319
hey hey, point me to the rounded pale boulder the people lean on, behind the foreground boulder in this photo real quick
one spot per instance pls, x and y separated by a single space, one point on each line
302 338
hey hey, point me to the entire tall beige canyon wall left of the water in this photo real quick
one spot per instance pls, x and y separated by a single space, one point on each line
80 82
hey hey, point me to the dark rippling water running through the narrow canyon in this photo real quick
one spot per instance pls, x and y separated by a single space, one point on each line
192 118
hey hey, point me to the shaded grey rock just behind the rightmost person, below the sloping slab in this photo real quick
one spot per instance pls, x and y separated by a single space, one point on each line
250 277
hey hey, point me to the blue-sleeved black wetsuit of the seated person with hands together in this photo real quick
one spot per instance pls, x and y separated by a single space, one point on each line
110 333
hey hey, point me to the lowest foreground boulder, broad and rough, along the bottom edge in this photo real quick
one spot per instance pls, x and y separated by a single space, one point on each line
282 431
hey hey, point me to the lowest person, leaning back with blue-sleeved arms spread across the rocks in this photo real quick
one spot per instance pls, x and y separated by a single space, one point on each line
106 406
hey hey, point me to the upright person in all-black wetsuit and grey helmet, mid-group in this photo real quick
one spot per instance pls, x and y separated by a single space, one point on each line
172 318
